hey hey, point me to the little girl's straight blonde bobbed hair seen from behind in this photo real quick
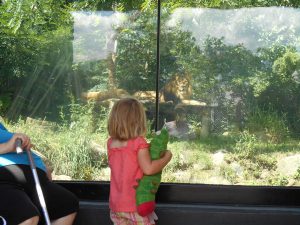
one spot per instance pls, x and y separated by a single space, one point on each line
127 120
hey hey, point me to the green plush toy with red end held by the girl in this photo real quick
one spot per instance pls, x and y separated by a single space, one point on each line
148 185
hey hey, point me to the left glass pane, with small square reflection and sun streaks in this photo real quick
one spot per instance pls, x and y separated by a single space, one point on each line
62 68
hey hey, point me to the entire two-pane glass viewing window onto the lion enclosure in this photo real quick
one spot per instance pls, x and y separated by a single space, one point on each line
229 84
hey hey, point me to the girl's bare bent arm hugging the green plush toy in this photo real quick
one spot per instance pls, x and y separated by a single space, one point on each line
150 167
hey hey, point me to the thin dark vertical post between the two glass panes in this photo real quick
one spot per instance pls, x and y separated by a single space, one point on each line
157 65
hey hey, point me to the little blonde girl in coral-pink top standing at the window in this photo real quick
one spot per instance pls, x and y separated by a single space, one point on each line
129 159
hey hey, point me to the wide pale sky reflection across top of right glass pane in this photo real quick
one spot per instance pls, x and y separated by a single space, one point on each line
253 28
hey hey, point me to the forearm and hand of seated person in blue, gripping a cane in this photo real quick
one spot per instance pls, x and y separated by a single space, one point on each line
10 146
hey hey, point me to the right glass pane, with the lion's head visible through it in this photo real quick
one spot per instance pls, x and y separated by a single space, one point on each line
231 93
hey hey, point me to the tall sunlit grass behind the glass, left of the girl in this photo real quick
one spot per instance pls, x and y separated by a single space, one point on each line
67 145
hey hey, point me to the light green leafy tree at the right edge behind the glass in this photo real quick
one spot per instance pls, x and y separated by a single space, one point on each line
282 93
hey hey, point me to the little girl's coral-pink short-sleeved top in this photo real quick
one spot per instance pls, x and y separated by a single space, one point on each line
125 172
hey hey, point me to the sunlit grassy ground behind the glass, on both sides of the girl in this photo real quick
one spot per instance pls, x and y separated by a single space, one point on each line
69 146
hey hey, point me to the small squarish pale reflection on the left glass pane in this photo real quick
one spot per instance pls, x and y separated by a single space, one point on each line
94 34
